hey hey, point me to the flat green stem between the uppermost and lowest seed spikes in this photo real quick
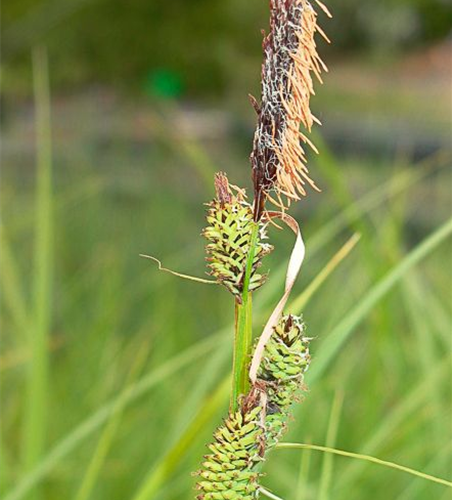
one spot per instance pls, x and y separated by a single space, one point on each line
243 330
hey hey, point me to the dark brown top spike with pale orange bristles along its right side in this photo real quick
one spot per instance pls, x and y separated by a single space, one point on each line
290 59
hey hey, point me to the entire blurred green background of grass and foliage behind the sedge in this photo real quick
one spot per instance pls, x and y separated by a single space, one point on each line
114 117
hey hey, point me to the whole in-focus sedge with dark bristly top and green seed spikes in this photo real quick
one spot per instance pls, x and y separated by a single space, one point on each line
267 373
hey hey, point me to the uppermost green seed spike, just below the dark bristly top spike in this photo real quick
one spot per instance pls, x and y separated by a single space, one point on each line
229 232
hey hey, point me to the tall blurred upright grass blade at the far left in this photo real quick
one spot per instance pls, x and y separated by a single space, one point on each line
36 418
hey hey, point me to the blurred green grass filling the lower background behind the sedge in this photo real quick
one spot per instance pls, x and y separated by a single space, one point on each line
380 322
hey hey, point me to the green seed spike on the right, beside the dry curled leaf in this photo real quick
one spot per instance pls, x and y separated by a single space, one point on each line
281 372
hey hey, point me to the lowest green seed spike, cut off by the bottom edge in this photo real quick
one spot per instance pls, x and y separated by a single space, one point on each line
230 471
